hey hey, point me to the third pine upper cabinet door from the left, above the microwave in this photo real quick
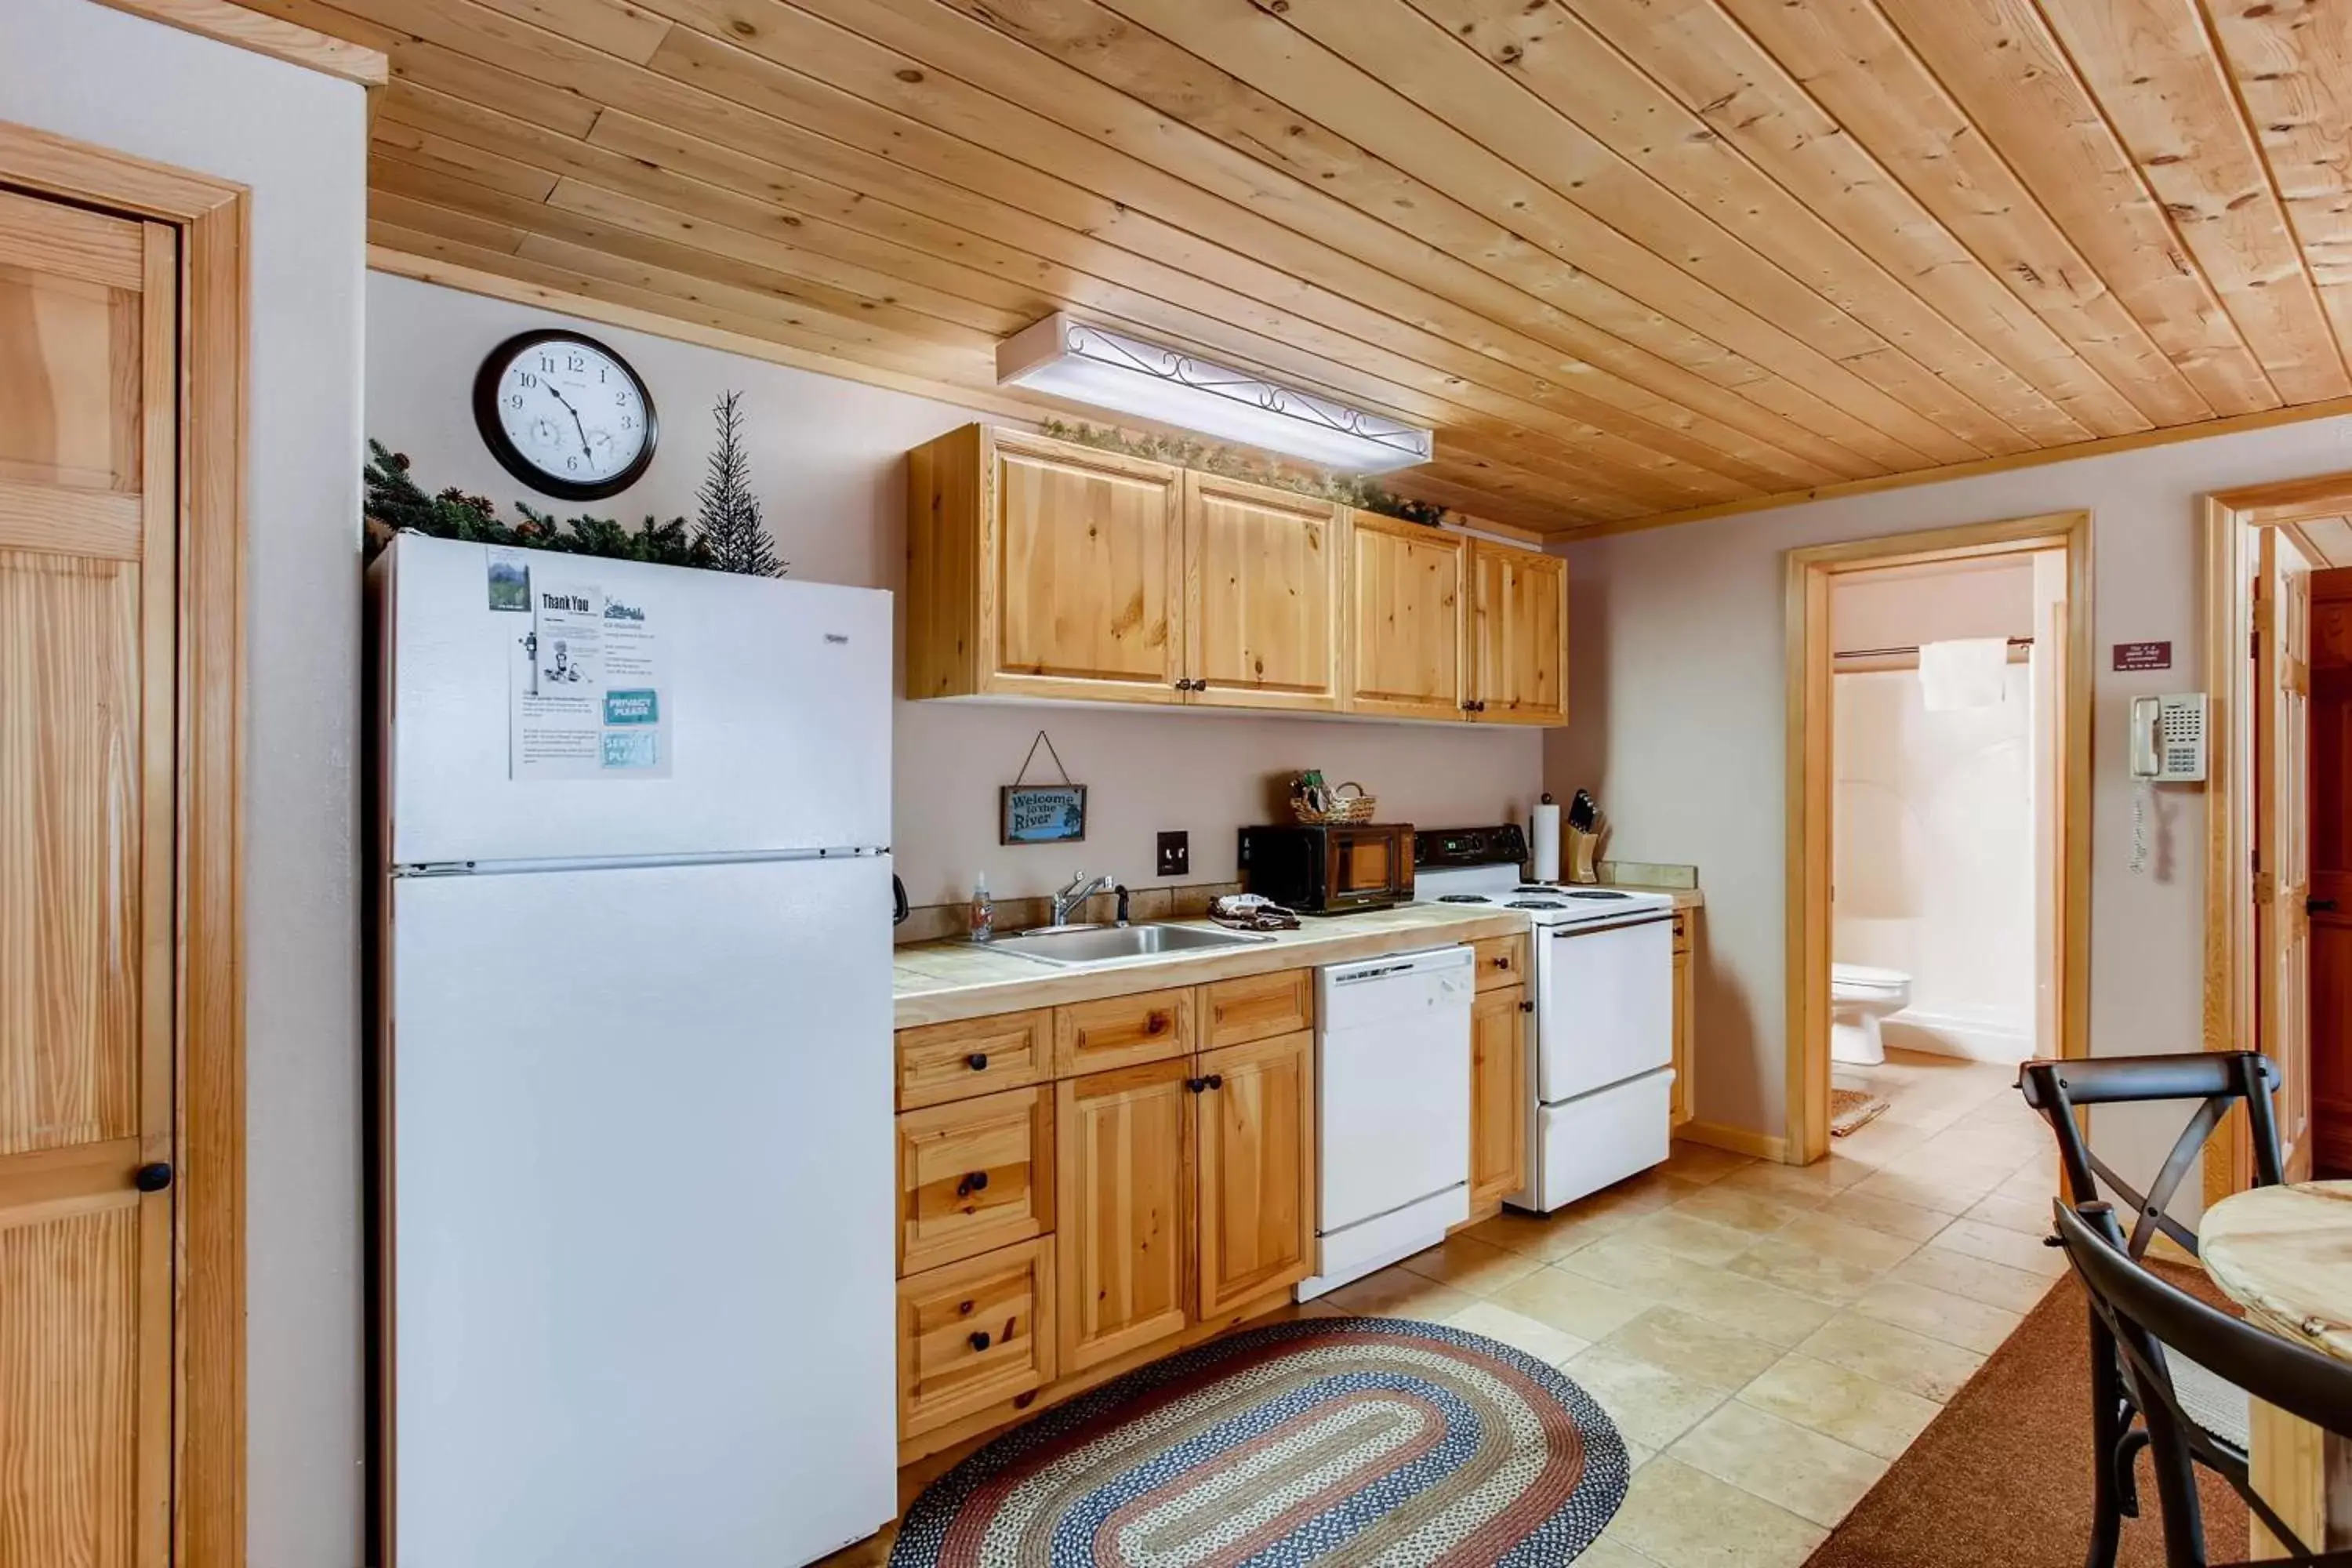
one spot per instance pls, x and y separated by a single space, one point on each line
1405 619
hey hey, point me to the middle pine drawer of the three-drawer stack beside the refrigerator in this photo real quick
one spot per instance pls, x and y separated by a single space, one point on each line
975 1177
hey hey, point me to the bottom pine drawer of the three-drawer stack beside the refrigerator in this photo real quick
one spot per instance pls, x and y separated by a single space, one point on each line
975 1334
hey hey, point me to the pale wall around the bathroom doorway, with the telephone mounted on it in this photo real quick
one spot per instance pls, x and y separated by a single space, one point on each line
1678 699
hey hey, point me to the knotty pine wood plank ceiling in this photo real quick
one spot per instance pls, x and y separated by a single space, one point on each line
1631 257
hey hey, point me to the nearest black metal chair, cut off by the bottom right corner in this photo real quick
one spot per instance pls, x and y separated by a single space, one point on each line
2158 1329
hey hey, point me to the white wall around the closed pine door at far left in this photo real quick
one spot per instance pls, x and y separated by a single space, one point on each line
298 140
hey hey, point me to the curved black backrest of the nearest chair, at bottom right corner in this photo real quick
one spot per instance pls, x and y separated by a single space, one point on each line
2149 1315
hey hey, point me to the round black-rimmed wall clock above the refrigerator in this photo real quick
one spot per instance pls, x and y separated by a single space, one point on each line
566 415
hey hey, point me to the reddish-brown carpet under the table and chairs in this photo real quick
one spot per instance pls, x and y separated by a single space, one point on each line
2003 1480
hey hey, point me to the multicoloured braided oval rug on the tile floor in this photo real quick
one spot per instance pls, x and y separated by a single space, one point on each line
1349 1440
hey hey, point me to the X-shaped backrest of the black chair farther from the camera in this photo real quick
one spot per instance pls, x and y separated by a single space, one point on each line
2217 1080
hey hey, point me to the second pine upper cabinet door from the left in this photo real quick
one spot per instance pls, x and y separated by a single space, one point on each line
1264 575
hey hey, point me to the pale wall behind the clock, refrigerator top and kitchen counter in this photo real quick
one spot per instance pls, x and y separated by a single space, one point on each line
827 460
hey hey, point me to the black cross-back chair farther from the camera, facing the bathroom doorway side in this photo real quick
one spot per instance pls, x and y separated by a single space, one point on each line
2214 1083
